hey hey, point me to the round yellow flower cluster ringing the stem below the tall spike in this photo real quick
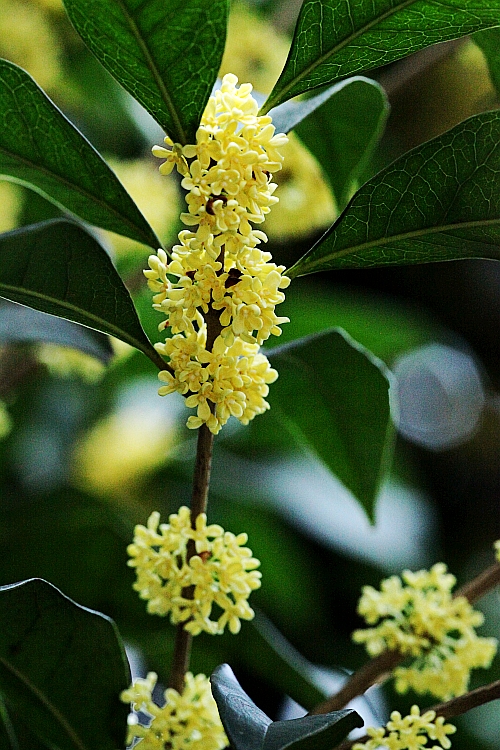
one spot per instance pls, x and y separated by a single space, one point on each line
221 572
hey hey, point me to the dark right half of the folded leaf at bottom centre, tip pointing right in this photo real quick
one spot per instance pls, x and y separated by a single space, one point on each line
320 732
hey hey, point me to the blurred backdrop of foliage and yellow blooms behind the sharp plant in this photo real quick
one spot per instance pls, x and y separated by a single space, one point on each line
88 451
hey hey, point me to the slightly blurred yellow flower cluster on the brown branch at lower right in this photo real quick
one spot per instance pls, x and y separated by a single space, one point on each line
417 616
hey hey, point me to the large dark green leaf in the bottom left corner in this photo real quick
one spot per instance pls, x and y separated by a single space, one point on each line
62 668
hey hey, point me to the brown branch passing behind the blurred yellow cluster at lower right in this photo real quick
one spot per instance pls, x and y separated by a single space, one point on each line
376 669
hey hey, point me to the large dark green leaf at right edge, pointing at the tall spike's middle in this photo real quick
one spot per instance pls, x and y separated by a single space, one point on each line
440 201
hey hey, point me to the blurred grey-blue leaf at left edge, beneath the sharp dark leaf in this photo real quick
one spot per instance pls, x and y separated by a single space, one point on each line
21 324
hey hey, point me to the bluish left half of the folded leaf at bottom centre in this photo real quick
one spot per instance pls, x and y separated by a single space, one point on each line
245 724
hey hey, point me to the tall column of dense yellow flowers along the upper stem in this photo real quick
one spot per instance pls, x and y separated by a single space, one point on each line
218 269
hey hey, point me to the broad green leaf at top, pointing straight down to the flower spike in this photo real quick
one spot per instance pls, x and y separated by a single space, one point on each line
166 54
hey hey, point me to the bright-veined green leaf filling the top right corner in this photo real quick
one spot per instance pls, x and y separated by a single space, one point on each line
335 38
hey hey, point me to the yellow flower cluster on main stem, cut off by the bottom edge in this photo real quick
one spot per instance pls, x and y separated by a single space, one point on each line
187 721
